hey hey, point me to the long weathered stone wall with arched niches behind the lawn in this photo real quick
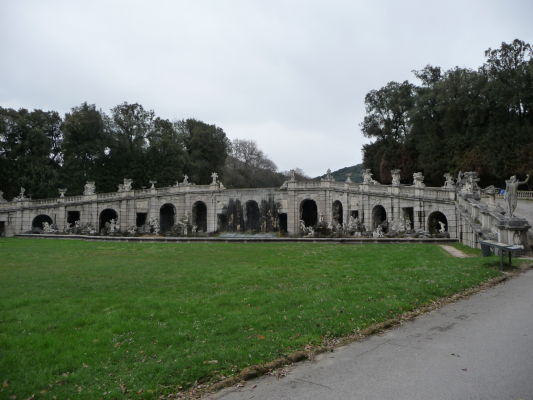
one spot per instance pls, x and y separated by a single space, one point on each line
463 217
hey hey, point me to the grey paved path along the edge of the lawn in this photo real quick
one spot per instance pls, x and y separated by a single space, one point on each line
477 348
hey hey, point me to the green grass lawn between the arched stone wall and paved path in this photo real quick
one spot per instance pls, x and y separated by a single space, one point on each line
131 320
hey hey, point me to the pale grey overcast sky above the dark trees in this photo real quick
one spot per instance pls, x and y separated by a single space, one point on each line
291 75
